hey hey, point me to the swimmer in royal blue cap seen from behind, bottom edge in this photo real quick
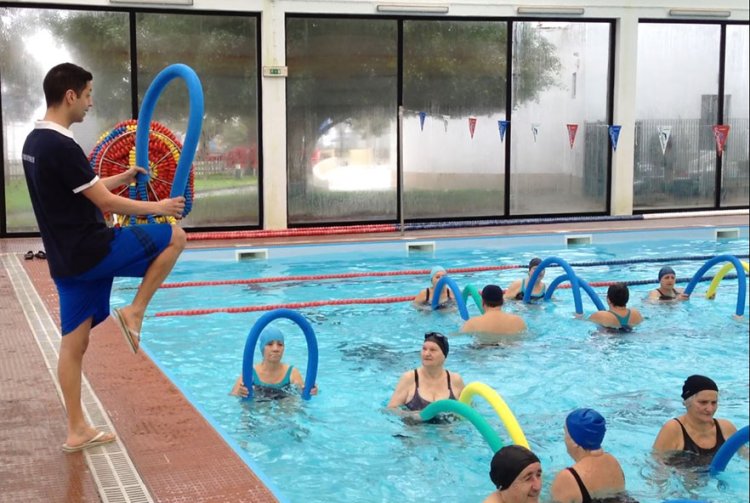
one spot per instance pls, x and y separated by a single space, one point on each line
596 475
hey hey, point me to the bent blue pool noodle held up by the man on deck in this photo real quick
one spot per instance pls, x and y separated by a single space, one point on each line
195 122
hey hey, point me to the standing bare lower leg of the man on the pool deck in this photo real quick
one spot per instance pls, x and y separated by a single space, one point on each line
72 348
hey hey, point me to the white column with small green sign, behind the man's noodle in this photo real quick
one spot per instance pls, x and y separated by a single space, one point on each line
274 117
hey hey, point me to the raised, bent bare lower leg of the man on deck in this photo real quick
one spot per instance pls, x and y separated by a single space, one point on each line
152 280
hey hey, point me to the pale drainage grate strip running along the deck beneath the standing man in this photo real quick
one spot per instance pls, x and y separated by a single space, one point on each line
112 469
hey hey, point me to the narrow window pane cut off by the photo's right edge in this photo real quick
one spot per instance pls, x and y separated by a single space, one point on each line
735 166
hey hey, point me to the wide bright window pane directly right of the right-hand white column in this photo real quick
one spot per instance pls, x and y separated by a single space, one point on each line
676 109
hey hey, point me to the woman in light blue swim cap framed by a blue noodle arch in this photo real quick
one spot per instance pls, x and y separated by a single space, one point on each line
271 377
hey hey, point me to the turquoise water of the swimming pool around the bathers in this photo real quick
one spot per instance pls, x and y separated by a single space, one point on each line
343 446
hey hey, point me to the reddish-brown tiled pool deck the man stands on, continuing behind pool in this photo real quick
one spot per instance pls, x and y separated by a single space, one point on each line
166 450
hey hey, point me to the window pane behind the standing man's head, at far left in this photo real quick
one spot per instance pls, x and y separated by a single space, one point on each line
35 40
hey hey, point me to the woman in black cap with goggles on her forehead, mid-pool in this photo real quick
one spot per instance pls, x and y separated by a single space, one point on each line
420 387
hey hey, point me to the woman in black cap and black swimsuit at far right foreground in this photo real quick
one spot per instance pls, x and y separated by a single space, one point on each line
696 431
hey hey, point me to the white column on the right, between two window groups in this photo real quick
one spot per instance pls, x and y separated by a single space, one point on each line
626 62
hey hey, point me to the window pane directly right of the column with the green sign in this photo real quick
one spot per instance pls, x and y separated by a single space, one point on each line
341 120
